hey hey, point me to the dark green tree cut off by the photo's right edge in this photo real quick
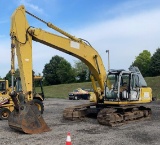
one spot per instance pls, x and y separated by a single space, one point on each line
155 64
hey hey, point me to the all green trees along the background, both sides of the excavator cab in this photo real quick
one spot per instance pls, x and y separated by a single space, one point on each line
60 71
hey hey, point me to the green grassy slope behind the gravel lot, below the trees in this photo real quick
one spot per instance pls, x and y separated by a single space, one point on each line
61 91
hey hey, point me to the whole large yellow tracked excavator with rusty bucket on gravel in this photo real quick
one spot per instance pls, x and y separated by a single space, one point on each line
120 95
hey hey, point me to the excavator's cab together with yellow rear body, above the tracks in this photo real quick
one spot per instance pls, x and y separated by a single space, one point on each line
127 86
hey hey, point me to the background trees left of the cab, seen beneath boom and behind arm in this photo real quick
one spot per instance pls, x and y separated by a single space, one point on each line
60 71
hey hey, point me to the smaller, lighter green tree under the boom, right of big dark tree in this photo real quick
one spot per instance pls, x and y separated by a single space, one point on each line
82 71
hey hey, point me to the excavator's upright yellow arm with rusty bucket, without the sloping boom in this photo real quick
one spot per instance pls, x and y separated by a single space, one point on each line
26 117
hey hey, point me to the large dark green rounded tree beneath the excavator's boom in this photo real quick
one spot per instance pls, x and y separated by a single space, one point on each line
58 71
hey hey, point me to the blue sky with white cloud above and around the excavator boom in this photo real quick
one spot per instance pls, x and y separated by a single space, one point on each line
124 27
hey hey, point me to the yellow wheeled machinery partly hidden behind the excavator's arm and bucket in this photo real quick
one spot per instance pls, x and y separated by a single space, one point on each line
6 103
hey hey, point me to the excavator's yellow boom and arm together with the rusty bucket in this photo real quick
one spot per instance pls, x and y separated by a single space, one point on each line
21 40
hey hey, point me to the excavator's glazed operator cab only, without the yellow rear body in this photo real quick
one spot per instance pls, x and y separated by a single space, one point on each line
120 86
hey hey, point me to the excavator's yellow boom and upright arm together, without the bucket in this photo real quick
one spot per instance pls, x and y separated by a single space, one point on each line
22 35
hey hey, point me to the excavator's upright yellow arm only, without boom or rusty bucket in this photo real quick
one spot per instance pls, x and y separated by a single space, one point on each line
22 45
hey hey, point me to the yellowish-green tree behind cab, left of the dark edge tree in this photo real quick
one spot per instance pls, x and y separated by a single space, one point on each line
142 62
